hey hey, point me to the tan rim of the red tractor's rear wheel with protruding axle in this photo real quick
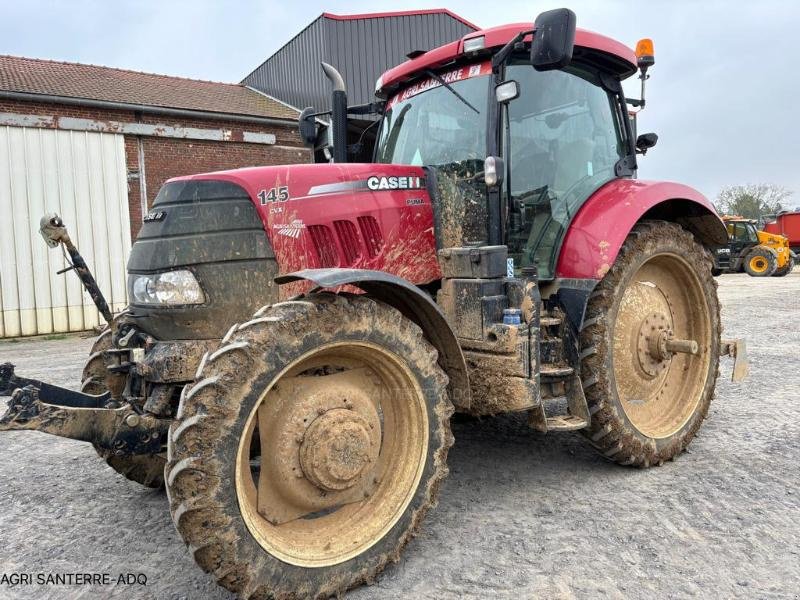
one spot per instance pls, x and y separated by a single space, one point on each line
661 314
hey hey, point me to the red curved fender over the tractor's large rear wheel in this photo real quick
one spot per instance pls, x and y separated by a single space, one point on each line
598 231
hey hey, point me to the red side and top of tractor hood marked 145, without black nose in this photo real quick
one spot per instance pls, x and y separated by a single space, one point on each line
348 215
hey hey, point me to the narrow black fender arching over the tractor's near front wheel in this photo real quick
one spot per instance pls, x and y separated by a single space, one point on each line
414 304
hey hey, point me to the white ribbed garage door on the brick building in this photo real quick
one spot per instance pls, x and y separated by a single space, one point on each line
82 177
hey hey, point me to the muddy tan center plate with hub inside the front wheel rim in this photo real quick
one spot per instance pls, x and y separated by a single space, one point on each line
320 444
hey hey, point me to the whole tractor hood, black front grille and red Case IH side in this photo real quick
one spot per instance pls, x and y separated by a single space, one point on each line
235 231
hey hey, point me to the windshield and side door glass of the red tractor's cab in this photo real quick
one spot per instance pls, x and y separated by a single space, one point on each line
561 135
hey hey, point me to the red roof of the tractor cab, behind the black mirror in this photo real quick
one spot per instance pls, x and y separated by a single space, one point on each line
614 56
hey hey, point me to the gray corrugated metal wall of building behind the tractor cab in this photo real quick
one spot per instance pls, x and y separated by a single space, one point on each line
361 49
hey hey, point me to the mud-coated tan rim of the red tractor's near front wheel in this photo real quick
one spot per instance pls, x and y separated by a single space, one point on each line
341 441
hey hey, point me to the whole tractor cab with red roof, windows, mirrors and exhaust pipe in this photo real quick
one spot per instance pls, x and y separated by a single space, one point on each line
515 131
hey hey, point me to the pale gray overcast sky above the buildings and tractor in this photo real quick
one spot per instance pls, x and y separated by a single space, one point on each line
721 96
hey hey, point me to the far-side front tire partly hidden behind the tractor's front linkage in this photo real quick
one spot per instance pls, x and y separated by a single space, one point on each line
147 470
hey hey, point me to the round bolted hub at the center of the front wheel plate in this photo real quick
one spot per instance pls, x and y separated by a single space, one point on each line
336 449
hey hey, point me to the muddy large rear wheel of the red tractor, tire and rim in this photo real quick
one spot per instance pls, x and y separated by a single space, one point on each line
646 404
